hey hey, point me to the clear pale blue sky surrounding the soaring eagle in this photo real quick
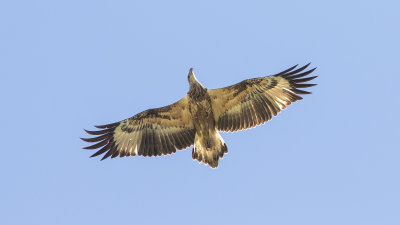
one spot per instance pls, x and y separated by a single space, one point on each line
333 158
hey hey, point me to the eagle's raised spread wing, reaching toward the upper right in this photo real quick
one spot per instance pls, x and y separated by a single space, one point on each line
254 101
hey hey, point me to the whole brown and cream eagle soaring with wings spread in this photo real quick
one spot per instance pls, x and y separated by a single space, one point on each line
197 118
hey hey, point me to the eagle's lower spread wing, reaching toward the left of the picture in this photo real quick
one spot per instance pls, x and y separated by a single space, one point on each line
153 132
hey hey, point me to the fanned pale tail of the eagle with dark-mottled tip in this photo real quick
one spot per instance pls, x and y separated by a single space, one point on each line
209 155
